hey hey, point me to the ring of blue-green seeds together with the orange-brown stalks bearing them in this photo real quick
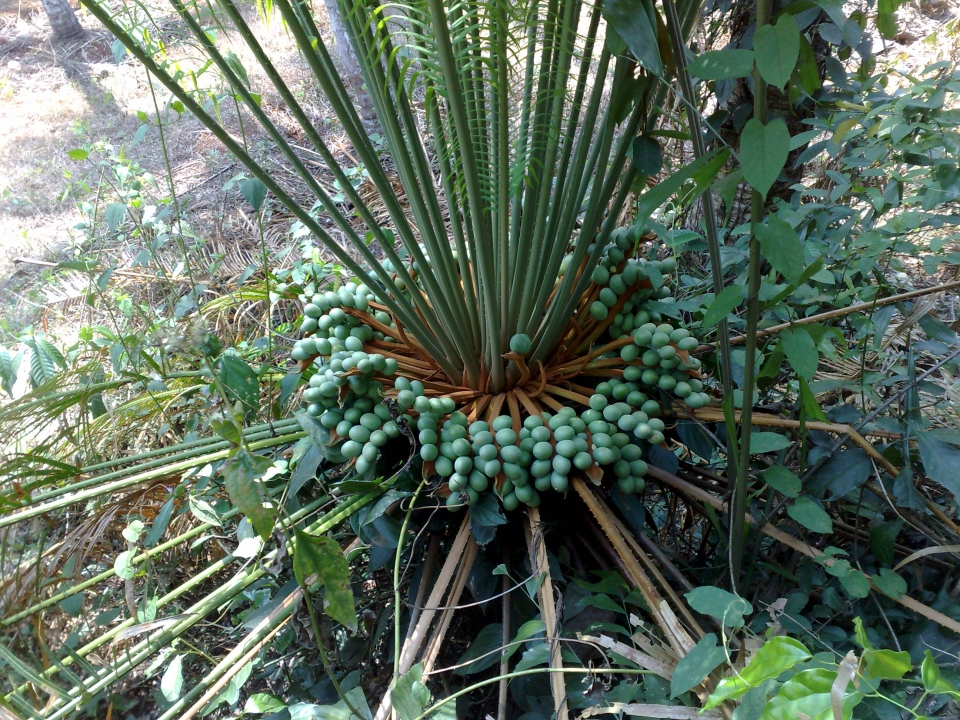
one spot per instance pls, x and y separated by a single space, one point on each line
590 408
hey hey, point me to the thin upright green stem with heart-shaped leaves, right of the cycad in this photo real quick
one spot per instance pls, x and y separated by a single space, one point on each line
741 488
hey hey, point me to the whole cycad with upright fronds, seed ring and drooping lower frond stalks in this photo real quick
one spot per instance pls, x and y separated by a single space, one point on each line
502 309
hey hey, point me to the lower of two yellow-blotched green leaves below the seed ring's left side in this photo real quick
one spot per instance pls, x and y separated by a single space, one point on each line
321 557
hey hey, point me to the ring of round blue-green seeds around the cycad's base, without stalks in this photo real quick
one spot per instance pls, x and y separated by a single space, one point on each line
346 392
